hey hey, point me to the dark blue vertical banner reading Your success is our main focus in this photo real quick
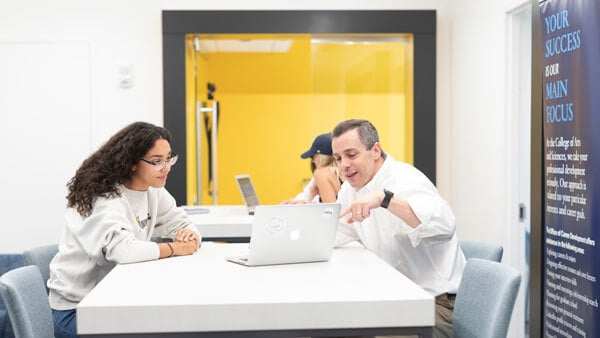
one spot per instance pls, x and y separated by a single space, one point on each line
571 102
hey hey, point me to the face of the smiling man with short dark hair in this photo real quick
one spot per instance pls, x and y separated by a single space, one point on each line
355 161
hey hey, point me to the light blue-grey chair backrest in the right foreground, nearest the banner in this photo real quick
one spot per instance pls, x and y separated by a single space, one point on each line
485 299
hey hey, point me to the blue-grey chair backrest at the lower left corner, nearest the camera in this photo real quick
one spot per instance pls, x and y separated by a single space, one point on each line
27 302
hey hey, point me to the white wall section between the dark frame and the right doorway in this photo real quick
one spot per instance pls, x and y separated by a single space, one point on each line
479 164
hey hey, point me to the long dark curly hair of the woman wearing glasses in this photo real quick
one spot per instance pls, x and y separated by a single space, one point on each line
111 165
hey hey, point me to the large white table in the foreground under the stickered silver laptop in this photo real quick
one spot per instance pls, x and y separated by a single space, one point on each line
355 293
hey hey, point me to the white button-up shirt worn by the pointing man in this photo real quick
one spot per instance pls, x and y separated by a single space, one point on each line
429 254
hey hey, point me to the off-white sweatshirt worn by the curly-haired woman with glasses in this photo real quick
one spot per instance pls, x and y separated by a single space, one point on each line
114 233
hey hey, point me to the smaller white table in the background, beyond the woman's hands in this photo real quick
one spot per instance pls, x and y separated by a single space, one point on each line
223 222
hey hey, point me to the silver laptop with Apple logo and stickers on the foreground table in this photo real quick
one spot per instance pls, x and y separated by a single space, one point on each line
297 233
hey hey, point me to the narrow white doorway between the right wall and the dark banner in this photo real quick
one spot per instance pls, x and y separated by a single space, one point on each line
519 132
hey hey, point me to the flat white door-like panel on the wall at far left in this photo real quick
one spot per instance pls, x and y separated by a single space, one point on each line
45 131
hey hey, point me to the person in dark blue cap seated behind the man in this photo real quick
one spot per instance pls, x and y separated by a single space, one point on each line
326 180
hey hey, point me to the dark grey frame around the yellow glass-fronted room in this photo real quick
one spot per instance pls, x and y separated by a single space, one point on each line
420 23
